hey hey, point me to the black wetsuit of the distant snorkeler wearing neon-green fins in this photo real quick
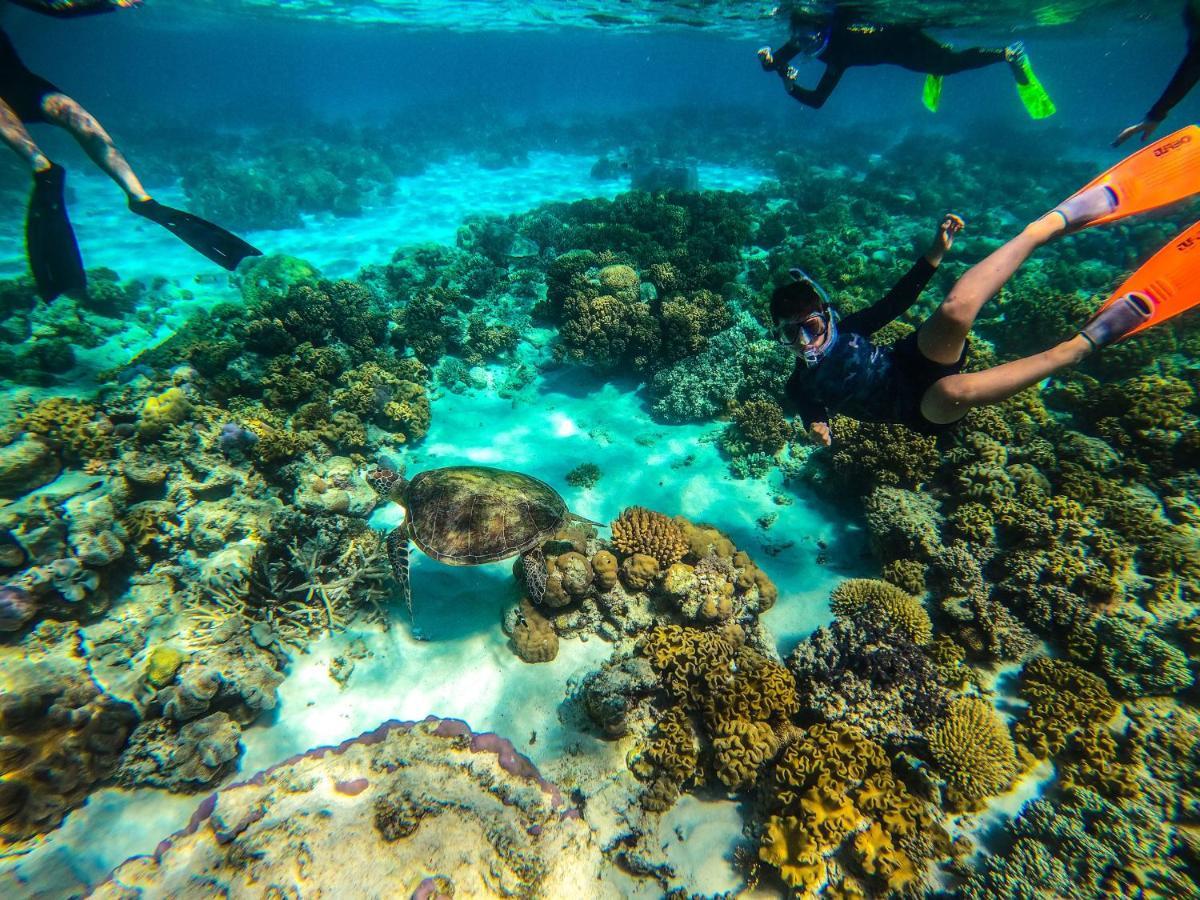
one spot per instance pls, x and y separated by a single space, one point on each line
854 44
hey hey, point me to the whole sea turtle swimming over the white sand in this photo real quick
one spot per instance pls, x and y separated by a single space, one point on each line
469 515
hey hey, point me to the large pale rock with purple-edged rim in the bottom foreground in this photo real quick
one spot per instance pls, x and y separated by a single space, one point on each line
385 814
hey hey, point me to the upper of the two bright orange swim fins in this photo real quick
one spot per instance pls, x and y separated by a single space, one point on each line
1160 175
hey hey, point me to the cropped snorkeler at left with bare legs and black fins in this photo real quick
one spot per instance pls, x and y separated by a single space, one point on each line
28 99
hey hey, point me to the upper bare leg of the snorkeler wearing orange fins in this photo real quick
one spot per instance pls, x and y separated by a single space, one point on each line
944 335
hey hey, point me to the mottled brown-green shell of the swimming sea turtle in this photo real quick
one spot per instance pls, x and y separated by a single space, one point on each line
466 515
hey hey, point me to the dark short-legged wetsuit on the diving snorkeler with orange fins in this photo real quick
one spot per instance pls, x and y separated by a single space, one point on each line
872 382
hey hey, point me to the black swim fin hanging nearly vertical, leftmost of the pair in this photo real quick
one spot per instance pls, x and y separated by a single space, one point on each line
50 239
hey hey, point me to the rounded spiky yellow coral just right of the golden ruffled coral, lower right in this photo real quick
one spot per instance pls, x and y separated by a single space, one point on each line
974 751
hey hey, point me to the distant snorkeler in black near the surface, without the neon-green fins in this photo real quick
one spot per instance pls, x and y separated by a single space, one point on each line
843 43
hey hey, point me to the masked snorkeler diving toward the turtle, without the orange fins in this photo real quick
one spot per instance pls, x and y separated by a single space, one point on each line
920 382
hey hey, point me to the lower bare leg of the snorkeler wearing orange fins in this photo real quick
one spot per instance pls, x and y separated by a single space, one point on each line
955 397
